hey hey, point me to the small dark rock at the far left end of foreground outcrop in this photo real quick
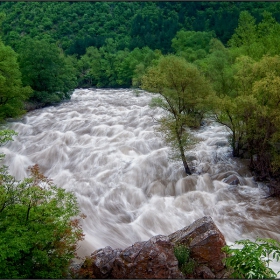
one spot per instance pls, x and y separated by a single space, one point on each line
100 264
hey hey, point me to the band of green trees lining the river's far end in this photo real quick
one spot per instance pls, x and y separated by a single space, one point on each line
107 67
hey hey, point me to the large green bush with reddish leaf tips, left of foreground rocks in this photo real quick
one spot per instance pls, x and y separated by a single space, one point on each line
39 227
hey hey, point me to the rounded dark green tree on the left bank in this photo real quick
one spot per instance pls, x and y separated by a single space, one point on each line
46 70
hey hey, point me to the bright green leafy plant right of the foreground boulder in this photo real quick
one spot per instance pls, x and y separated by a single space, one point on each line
252 260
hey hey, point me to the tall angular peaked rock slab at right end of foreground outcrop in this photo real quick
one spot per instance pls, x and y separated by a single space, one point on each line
205 242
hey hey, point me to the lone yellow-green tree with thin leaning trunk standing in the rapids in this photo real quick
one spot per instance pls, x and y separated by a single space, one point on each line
183 94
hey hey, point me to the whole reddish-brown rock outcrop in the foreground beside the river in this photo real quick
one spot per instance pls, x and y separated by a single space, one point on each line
154 259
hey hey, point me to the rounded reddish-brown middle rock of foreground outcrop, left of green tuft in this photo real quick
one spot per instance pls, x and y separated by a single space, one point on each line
152 259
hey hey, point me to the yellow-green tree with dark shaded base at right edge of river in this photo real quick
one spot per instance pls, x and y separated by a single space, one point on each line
251 112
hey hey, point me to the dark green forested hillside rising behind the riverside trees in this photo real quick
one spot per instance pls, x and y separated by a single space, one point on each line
74 26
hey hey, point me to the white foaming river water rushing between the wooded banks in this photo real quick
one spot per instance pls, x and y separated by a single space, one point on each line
102 146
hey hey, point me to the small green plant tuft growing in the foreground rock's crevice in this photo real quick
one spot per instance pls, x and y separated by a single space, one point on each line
185 262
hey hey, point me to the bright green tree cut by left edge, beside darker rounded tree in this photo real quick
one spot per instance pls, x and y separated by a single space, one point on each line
12 92
